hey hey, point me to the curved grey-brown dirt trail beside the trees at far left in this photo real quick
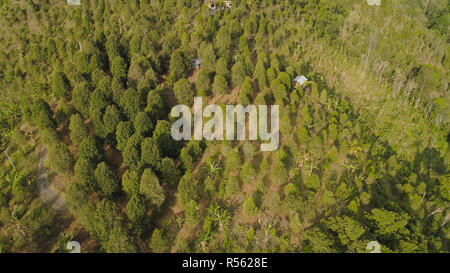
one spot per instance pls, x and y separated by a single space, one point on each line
49 196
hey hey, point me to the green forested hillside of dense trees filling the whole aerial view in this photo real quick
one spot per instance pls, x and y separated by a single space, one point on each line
87 152
